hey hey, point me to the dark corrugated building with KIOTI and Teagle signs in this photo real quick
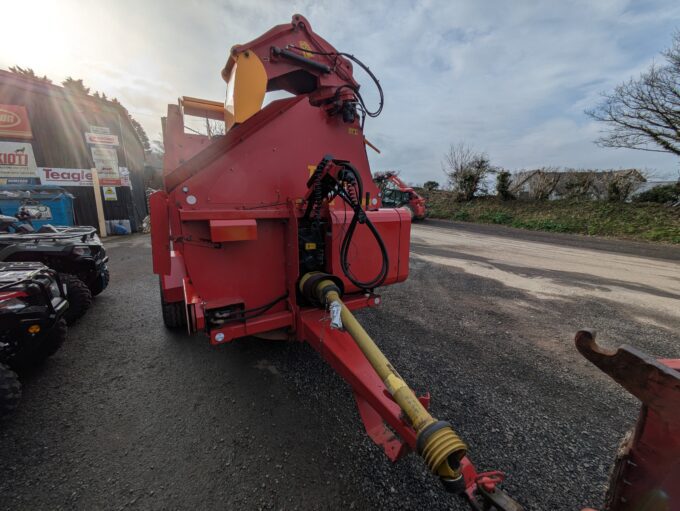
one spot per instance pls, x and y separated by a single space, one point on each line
68 134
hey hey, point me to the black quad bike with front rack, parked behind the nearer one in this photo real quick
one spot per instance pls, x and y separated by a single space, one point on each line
76 253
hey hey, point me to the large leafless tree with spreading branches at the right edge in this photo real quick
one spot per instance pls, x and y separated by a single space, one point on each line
644 113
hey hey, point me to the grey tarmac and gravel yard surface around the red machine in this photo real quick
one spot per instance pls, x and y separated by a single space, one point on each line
130 416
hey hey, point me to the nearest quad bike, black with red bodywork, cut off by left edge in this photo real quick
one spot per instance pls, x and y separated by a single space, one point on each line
32 326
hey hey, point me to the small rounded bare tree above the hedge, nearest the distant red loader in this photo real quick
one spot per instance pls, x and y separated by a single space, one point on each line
465 170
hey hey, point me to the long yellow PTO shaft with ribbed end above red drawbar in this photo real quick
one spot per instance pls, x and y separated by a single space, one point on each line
436 441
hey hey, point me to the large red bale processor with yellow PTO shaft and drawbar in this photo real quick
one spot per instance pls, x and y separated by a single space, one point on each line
276 230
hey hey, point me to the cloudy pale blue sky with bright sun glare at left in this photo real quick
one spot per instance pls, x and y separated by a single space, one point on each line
509 78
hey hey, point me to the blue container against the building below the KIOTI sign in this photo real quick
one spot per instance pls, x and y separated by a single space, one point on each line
46 204
